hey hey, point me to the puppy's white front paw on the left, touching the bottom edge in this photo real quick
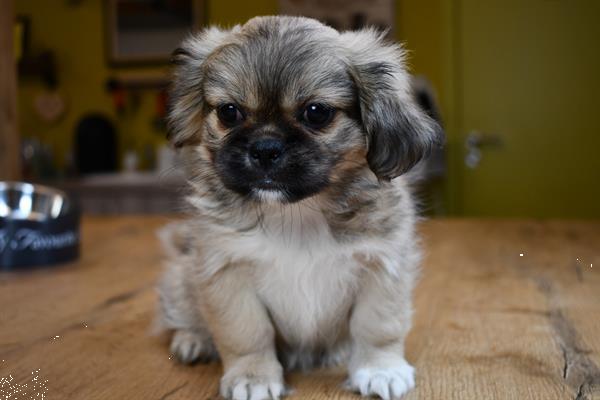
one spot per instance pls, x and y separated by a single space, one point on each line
252 388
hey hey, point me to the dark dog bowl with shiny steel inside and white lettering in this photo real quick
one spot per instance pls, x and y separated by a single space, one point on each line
39 225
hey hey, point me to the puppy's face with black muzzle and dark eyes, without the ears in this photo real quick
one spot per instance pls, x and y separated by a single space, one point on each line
279 115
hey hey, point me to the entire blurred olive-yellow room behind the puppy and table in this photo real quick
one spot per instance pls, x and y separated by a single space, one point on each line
513 82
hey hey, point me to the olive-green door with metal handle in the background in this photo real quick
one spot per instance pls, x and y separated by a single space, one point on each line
528 99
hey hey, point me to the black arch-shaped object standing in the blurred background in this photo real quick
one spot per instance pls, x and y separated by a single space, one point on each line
95 145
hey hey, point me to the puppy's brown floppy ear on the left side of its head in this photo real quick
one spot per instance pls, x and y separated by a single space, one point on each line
185 95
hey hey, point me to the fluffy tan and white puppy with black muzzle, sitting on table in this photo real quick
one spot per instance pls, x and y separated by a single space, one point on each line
300 249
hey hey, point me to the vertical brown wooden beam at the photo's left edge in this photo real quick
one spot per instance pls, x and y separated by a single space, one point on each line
10 161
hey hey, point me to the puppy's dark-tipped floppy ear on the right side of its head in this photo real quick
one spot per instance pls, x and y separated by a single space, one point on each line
399 134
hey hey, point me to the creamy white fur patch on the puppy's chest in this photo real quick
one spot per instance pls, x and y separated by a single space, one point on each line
305 278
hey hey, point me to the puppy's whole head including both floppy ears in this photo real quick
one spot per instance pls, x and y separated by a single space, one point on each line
282 108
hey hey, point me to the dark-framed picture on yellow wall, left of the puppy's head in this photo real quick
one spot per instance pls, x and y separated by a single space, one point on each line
147 31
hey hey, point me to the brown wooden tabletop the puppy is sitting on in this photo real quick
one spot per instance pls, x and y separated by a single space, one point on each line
505 309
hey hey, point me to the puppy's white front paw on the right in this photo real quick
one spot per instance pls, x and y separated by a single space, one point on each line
387 383
